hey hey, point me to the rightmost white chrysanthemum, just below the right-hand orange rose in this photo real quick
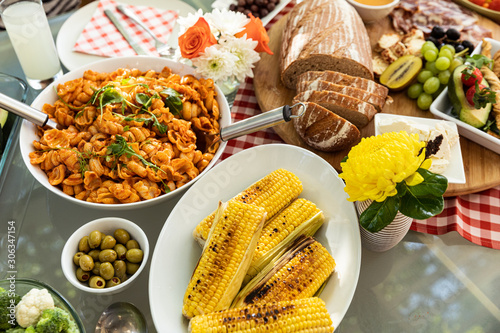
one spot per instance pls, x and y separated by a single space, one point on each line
244 50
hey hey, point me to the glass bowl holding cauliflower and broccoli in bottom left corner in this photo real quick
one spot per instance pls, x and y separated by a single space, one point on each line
23 286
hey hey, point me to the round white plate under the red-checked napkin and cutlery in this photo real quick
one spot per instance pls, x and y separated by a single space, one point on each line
74 25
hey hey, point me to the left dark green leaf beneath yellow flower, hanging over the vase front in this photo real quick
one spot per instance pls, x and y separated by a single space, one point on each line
379 214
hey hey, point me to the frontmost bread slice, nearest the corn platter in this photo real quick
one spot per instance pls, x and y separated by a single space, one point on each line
324 130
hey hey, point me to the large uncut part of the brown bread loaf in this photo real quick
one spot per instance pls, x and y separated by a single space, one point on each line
324 35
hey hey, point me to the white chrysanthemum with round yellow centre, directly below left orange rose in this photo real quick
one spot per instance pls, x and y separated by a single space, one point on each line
215 63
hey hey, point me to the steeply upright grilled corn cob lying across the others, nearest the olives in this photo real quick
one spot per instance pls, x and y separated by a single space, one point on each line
225 259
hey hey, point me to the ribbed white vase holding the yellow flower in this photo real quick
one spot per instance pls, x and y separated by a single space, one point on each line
386 238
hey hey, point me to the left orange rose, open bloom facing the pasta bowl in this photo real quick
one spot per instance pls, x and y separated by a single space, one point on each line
196 39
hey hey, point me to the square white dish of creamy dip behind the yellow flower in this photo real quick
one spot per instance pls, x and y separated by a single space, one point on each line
455 172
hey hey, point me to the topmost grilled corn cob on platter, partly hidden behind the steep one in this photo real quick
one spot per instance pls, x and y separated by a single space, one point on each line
273 192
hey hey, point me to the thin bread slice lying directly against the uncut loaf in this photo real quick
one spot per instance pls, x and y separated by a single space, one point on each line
345 80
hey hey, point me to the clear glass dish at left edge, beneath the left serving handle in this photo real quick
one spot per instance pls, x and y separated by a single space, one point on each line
16 88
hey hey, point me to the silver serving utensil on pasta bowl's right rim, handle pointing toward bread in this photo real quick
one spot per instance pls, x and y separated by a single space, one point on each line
250 125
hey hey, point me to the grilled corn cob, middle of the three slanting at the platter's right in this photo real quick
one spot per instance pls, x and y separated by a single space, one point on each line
300 218
